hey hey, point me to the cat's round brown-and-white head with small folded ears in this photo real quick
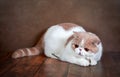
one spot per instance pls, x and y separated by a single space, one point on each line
85 43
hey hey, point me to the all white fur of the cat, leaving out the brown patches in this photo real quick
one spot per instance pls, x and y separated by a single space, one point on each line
55 39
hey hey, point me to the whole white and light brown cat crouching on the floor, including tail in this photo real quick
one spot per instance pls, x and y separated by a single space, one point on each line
67 42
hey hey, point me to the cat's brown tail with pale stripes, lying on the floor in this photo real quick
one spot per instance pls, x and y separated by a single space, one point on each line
36 50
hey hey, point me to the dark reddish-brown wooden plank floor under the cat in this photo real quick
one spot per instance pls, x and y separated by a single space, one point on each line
41 66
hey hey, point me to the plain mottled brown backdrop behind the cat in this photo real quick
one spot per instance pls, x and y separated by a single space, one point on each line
21 21
